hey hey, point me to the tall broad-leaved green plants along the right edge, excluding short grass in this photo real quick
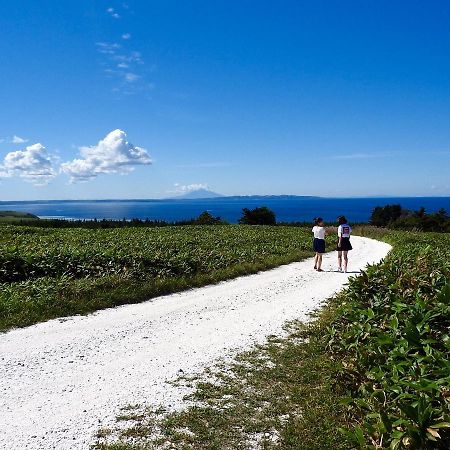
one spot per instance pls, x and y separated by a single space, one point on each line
391 338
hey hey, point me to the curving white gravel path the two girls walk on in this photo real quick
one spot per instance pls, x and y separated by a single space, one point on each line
62 380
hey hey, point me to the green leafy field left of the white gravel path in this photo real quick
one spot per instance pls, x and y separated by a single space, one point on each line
47 273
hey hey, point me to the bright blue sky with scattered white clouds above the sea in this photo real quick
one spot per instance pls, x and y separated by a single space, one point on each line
331 98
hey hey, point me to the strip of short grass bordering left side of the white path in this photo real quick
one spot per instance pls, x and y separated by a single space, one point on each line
84 296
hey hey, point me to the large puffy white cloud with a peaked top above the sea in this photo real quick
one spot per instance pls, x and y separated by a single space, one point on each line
113 154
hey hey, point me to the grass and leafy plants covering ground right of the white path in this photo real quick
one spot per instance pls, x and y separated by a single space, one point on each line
372 371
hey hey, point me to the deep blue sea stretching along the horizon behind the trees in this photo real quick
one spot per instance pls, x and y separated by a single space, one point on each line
287 208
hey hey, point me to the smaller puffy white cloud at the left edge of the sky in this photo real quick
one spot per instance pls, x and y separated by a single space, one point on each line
33 164
